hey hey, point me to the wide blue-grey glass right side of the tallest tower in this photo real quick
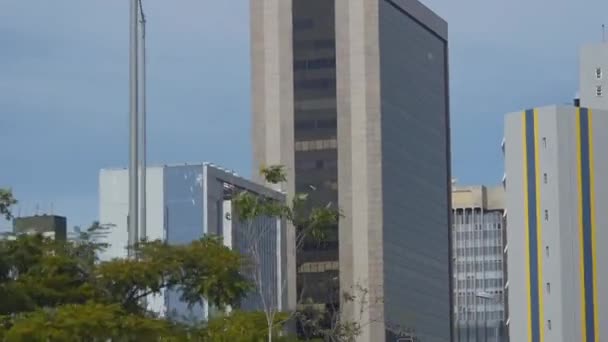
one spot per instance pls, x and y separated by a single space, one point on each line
415 176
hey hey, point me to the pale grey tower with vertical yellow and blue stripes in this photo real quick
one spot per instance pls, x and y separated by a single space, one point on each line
557 195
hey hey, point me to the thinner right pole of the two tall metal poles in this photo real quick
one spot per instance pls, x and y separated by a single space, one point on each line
142 227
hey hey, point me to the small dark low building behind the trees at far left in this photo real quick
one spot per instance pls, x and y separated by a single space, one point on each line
48 225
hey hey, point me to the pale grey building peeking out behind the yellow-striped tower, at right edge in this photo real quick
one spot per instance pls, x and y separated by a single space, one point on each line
594 76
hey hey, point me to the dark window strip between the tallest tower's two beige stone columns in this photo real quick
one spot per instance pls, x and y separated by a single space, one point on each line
315 132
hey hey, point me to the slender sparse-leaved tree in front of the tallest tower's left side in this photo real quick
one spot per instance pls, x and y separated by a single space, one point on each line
310 223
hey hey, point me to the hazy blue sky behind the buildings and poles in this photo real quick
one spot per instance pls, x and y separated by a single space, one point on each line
64 86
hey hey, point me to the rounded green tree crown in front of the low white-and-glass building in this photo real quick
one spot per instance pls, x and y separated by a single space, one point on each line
203 269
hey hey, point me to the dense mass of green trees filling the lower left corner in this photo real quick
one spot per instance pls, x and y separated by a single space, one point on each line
52 290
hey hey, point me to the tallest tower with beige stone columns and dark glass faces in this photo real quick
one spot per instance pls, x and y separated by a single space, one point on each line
352 97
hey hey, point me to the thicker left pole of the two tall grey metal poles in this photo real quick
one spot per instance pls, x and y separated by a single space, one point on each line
133 129
